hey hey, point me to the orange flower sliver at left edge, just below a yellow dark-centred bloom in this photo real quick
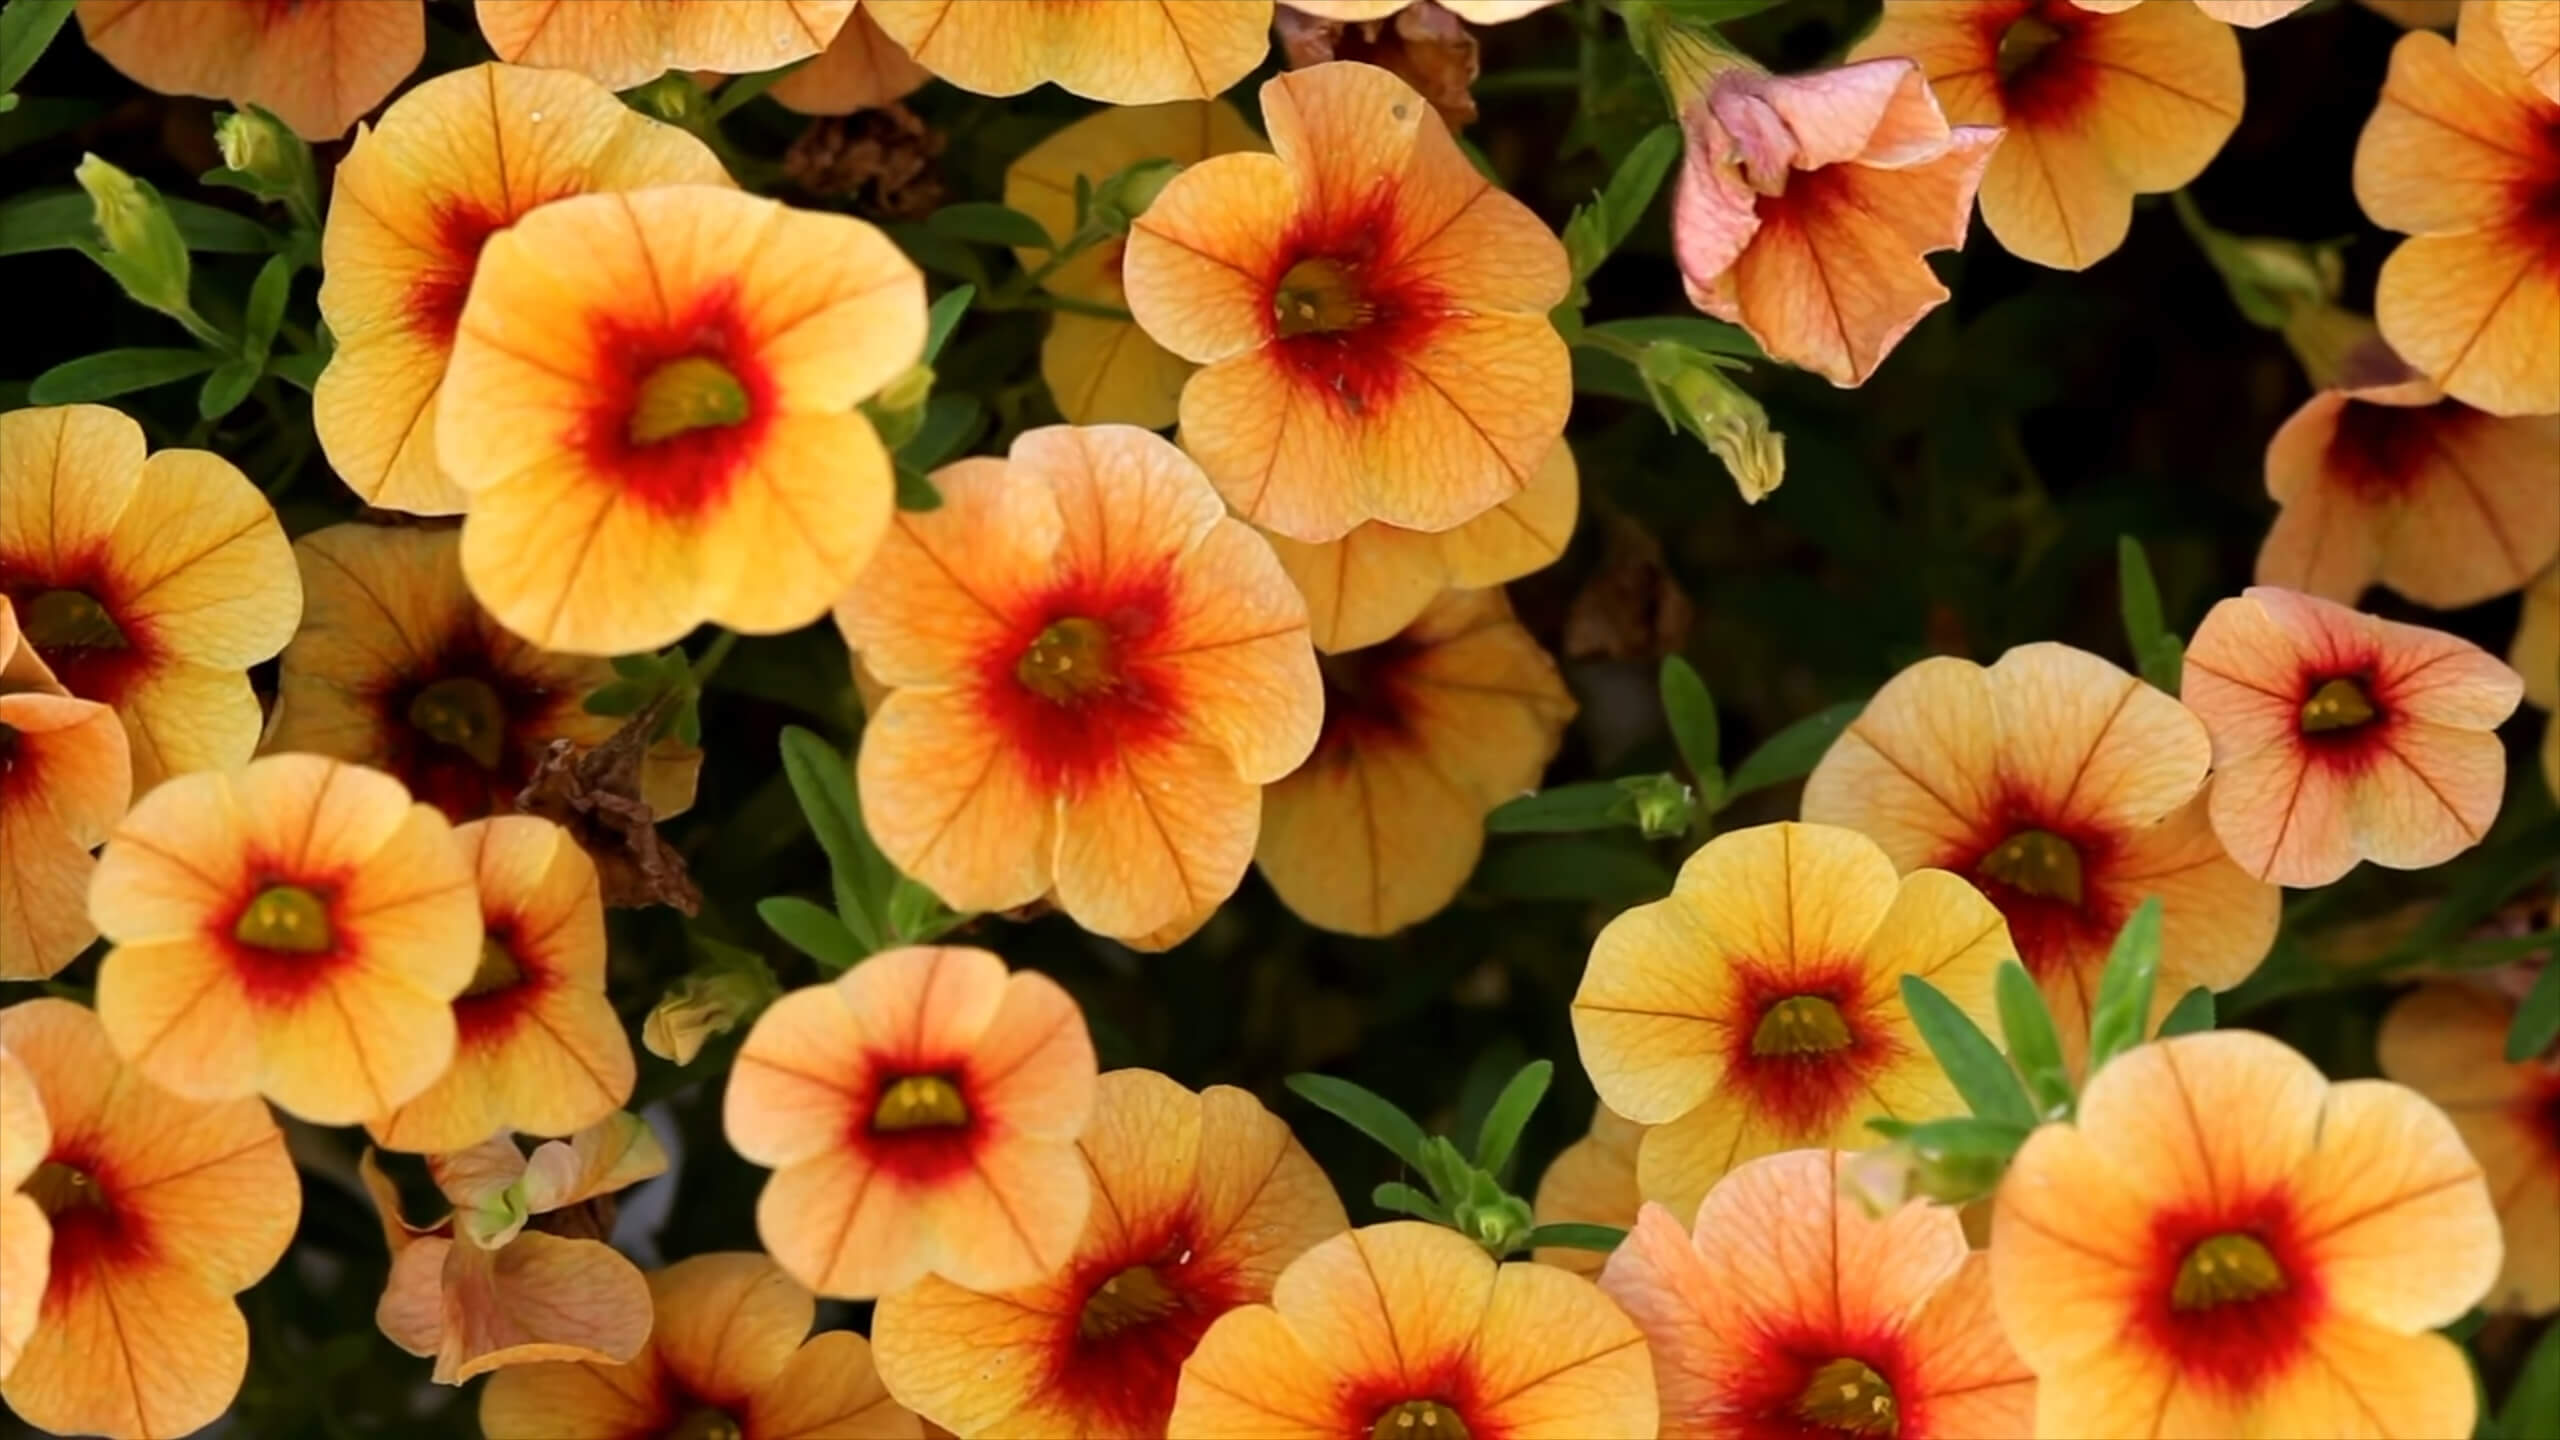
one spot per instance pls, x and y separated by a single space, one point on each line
65 780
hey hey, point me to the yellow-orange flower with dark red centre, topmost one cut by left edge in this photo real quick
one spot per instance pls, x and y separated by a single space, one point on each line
145 585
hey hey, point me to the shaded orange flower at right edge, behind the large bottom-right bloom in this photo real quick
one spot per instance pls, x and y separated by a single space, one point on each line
2449 1044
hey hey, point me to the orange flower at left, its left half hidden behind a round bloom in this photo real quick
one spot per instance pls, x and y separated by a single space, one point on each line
539 1047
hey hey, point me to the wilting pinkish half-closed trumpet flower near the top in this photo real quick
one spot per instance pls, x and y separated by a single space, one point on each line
1793 181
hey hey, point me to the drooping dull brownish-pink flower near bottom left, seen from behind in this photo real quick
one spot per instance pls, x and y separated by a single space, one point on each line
518 1272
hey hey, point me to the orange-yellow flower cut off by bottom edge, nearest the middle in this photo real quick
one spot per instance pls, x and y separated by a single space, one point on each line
1414 1331
